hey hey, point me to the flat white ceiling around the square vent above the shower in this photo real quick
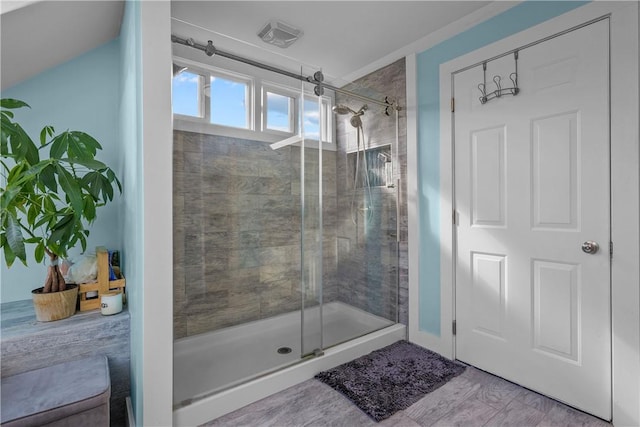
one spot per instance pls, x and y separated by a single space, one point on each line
340 37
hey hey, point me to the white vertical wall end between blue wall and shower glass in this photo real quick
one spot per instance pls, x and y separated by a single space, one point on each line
157 163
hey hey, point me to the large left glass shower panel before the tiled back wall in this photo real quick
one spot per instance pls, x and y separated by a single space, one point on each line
241 276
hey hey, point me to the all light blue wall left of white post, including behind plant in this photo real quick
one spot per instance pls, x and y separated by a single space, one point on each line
100 93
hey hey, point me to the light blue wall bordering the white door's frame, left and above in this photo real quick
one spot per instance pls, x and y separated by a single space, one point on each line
516 19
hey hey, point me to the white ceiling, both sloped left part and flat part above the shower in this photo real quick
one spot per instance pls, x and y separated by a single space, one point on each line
340 37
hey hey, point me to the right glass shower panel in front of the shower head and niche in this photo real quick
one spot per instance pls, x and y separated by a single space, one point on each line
361 289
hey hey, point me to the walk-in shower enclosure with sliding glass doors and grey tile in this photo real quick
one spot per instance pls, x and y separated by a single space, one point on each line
286 230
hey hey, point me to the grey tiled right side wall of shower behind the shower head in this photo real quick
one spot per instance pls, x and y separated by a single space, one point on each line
369 258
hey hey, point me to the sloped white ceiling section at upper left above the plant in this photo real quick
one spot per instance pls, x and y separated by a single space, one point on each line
38 35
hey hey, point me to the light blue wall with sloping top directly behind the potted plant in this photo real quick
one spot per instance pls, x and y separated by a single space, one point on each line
81 94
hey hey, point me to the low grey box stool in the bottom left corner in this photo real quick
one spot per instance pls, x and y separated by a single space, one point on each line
69 394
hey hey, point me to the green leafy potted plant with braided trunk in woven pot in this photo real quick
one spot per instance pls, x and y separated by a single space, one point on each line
48 200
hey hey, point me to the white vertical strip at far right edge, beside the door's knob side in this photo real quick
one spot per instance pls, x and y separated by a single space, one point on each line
625 196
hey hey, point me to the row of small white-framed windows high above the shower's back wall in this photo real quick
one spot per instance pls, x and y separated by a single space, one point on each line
210 100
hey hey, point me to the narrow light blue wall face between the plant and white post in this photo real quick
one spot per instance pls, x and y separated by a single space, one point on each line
130 149
